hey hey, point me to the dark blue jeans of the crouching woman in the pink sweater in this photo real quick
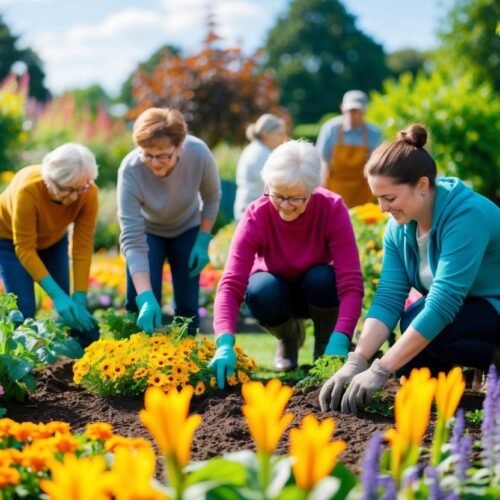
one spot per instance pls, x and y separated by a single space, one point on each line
272 299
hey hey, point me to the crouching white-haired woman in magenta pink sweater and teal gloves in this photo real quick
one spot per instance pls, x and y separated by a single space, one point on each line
293 256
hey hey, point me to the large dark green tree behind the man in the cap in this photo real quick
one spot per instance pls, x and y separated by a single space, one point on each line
318 54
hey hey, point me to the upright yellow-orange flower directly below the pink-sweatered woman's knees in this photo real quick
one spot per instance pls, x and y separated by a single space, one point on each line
264 412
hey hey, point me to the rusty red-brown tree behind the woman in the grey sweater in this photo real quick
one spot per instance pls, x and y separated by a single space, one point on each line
219 91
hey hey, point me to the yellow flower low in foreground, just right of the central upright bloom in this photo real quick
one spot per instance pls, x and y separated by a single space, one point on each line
315 455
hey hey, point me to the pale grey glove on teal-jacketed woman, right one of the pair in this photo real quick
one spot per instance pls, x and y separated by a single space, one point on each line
363 386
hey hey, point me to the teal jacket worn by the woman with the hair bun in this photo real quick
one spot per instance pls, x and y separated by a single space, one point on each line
464 257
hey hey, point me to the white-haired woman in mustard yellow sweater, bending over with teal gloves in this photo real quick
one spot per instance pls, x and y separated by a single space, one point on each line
36 210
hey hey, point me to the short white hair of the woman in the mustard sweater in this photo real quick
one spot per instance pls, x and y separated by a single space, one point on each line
68 163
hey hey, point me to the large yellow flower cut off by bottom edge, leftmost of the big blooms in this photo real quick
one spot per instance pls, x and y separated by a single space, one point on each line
76 479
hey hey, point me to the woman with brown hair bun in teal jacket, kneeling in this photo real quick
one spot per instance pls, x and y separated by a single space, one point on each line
444 240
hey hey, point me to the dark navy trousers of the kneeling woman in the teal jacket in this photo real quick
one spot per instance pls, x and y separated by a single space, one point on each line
468 341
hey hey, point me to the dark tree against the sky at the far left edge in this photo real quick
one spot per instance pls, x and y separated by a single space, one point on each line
11 54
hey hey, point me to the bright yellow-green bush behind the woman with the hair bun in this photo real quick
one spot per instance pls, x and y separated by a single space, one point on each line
463 118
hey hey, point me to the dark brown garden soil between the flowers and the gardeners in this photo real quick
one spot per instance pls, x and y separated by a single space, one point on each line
223 428
